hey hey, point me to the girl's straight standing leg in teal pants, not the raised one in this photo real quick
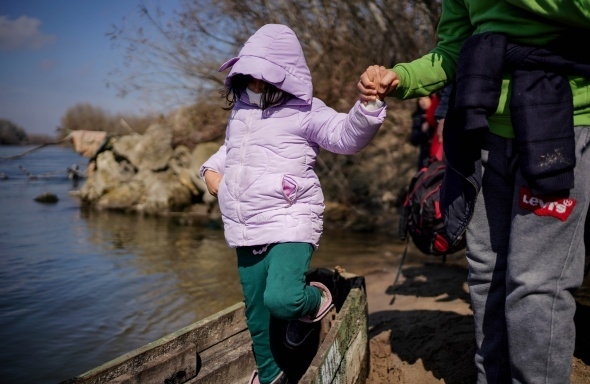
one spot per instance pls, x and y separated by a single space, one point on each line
253 271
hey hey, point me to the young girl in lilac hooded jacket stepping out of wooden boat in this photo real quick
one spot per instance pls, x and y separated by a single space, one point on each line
269 195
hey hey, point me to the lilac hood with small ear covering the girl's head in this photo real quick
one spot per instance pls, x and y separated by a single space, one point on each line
274 54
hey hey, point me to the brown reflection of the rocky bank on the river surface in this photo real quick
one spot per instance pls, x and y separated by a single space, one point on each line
196 261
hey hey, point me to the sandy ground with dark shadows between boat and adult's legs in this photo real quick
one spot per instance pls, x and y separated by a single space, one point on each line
421 332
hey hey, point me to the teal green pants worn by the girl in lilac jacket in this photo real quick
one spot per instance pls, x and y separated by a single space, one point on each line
273 282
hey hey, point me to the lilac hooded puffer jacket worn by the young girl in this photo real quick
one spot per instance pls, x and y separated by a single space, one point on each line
269 192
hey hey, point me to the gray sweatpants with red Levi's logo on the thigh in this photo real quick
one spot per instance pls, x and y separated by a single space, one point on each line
526 256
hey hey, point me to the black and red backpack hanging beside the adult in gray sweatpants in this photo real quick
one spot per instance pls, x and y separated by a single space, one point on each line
420 214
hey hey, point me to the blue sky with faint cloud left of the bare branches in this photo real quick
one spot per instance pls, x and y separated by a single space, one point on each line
55 54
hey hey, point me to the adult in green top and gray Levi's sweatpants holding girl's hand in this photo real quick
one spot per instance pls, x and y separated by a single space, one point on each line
517 181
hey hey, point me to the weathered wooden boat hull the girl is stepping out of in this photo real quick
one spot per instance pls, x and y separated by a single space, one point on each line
218 350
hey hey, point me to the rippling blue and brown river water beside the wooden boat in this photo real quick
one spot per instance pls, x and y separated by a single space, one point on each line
79 288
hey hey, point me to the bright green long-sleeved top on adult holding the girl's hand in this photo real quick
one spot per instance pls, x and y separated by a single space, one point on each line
526 22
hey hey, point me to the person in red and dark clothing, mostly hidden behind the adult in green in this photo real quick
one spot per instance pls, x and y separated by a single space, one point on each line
424 127
